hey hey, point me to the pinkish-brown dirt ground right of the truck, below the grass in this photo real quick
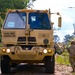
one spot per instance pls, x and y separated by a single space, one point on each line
63 70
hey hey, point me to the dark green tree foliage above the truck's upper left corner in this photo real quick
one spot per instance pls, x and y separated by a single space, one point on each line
11 4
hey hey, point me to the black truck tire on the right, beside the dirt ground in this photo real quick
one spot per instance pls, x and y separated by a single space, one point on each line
50 64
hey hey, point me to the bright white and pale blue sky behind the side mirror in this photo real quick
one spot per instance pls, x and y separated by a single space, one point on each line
64 8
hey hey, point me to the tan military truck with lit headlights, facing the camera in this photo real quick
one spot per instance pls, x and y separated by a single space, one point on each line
27 37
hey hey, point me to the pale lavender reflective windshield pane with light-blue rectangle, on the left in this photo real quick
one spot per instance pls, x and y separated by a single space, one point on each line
15 20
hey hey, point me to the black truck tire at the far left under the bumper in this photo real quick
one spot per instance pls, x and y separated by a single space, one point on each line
5 65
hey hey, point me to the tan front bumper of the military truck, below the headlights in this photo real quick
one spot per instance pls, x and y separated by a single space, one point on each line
26 54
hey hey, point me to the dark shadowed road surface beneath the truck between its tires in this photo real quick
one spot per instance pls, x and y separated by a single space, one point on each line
28 70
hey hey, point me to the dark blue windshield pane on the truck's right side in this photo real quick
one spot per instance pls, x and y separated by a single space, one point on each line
39 21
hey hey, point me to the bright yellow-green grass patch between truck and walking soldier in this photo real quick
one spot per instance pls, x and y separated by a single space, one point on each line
63 59
